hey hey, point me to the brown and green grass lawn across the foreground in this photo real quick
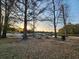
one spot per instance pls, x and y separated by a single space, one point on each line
39 49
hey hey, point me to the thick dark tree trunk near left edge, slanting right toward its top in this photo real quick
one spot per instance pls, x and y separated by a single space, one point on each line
8 5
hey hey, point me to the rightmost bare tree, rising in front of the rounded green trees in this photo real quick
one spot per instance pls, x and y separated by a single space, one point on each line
64 15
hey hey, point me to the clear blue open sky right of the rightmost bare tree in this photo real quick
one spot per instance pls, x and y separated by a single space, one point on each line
74 11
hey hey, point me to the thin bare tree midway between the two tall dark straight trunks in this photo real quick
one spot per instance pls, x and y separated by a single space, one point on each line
36 11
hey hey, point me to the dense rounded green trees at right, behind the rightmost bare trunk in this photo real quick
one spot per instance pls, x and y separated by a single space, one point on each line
72 29
